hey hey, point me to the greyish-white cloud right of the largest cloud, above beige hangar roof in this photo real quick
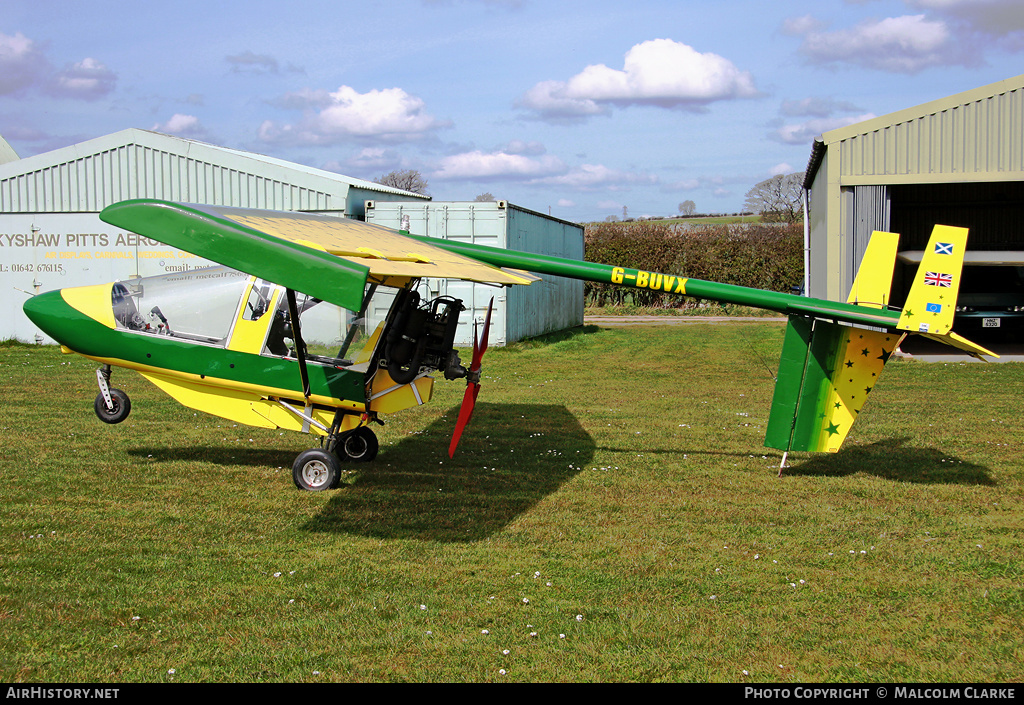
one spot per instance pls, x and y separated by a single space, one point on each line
908 45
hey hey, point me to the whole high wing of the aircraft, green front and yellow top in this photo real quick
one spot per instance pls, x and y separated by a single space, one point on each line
328 258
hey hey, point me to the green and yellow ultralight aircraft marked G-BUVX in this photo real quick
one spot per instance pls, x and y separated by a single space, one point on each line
236 342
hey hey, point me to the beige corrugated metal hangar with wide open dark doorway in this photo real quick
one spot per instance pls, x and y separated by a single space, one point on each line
955 161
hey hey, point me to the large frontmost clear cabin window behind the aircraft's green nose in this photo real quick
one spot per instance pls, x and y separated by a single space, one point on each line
199 306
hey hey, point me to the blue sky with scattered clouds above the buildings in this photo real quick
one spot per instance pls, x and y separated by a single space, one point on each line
583 109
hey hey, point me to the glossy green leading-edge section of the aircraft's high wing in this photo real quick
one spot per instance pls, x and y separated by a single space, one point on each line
207 235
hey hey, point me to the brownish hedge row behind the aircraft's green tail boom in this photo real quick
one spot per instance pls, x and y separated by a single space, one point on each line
757 256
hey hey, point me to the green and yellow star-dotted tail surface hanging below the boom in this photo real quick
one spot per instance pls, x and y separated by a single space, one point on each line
826 374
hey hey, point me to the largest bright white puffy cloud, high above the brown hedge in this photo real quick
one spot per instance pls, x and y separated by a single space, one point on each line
661 73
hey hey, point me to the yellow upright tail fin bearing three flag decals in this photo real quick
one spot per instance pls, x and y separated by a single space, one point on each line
931 304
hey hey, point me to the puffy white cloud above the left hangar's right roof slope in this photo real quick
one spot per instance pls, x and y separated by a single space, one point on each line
390 115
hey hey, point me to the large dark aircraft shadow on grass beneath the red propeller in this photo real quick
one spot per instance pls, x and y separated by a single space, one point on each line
414 490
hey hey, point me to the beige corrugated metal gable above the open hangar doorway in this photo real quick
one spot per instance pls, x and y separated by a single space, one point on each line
974 136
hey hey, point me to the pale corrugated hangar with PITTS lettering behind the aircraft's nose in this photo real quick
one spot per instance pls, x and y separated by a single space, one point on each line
52 236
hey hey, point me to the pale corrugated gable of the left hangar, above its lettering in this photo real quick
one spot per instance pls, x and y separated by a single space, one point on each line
134 163
